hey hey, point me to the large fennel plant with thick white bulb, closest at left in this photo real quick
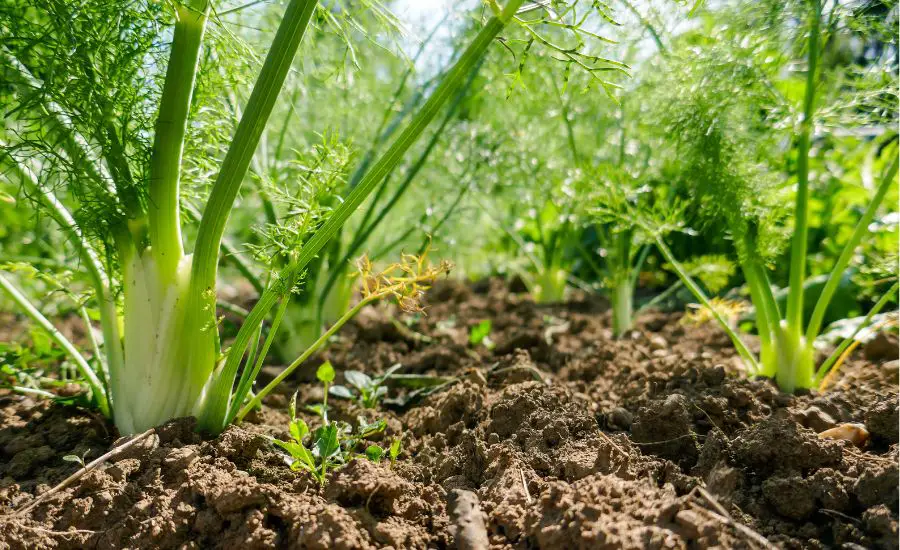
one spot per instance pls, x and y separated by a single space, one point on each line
90 151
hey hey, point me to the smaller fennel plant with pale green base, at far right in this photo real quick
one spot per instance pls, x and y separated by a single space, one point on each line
724 127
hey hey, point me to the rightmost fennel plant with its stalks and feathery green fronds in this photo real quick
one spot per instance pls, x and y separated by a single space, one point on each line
726 132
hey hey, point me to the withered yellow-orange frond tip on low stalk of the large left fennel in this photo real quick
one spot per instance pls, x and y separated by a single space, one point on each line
406 280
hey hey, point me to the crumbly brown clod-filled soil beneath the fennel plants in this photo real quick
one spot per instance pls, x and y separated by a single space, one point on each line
558 437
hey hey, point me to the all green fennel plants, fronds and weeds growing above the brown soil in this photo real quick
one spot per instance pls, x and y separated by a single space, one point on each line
207 187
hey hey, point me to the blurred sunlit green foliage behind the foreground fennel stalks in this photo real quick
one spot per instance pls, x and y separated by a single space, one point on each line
668 106
